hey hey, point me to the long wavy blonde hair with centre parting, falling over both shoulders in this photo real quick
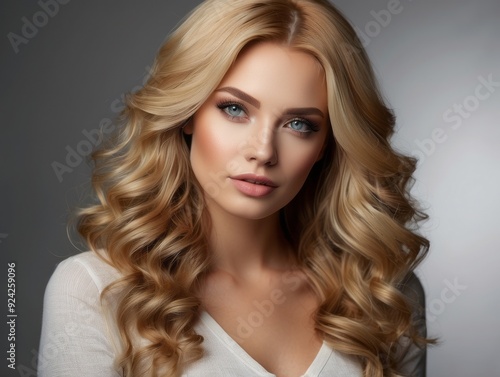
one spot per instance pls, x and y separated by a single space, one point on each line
352 224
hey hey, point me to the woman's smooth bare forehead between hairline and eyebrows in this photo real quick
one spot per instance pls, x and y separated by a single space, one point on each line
279 76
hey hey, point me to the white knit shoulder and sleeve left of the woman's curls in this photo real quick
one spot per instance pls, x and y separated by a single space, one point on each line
76 337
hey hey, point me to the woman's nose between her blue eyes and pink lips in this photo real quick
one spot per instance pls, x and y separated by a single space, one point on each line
261 147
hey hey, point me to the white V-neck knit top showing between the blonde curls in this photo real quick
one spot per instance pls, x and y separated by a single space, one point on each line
80 339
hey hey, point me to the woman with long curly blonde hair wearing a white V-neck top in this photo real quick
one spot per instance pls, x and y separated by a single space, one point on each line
251 219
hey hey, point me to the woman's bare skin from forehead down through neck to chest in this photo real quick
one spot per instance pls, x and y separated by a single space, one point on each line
268 118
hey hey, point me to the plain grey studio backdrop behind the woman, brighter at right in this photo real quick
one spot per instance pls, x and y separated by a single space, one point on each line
430 56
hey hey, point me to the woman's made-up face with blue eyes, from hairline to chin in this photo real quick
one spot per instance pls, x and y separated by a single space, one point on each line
256 138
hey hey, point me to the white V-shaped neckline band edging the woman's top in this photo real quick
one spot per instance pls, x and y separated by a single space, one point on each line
313 370
